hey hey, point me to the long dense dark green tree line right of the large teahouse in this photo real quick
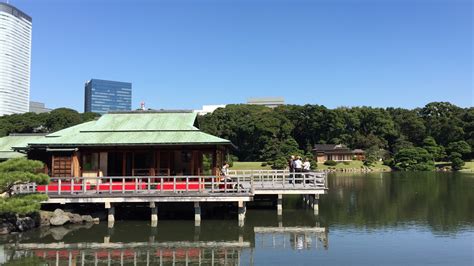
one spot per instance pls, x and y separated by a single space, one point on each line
439 131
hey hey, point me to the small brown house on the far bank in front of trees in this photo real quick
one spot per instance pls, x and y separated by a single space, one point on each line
336 152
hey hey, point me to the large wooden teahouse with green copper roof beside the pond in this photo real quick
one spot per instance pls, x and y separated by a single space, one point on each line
137 143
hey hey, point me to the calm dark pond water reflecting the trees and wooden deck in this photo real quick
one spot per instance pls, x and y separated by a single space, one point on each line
373 219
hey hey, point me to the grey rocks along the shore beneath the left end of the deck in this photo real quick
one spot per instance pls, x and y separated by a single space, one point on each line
14 223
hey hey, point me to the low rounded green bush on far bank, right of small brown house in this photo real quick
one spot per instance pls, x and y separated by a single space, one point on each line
413 159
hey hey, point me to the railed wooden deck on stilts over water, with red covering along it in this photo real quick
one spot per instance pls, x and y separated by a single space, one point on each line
238 186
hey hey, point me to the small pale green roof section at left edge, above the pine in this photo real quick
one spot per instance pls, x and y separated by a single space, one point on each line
19 140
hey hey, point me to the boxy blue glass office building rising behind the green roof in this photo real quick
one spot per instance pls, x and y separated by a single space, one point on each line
102 96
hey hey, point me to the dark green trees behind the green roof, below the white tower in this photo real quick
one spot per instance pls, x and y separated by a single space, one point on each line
42 123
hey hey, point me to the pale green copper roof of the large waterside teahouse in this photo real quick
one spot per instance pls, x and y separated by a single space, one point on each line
136 128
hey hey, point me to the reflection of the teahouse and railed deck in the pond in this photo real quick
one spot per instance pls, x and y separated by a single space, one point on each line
136 243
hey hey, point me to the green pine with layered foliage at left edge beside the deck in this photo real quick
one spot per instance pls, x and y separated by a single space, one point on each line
15 172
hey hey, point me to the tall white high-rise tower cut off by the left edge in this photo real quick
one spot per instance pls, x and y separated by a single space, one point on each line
15 60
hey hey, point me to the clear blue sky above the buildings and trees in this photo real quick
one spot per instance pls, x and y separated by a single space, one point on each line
184 54
